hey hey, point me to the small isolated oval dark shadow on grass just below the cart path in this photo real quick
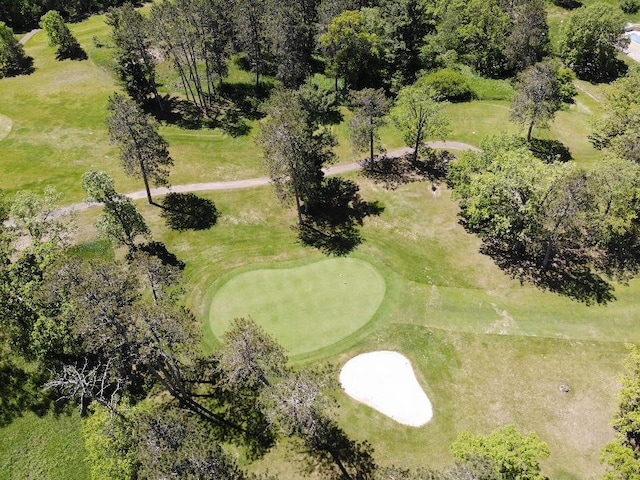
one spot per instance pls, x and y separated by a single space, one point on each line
187 211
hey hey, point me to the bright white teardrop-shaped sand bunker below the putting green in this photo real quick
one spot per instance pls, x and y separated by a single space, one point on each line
385 381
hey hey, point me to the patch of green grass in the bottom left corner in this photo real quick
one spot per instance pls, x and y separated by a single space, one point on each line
43 448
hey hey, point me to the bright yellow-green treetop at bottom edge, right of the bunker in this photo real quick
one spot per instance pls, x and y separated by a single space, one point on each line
514 455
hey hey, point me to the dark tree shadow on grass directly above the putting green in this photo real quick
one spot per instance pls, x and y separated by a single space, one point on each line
332 219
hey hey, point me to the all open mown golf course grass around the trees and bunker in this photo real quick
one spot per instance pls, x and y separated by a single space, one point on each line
486 349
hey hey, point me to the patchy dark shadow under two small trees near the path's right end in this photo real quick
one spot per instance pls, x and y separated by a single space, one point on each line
393 172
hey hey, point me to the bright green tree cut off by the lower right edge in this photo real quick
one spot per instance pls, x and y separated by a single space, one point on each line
622 454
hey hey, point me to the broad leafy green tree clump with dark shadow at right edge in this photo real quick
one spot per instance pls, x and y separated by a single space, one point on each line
562 227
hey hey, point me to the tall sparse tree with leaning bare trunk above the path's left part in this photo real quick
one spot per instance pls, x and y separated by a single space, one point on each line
143 151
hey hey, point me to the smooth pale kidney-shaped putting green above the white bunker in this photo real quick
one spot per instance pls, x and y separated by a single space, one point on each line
305 307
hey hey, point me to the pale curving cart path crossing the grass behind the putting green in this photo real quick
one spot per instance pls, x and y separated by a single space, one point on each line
260 181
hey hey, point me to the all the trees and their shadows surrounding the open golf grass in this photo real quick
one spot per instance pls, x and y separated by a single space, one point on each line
113 336
